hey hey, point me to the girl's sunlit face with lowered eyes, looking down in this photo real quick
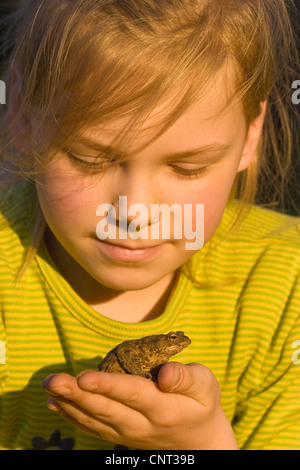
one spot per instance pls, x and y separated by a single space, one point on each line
70 193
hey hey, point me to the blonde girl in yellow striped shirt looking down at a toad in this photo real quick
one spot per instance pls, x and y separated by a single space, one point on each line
162 102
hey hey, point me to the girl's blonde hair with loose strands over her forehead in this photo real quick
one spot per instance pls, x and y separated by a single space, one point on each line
87 62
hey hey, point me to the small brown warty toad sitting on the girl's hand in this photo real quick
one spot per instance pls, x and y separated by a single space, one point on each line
144 356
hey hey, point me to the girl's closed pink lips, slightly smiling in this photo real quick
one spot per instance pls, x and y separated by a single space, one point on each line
125 254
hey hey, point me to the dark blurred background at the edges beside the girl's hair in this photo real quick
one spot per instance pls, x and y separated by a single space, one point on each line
6 7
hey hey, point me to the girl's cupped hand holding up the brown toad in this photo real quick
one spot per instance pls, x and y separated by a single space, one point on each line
182 411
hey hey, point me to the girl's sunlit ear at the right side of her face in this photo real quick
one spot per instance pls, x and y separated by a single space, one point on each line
254 134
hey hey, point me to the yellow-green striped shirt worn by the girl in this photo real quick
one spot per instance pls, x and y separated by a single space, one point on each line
246 331
